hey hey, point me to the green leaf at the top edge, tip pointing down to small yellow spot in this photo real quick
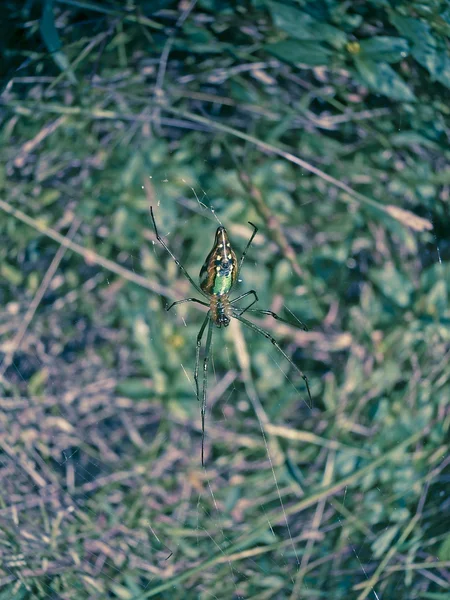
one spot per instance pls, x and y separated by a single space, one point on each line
302 26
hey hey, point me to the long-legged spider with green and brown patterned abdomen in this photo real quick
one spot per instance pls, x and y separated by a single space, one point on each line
218 276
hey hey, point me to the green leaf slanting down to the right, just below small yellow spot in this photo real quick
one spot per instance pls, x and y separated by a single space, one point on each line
382 79
